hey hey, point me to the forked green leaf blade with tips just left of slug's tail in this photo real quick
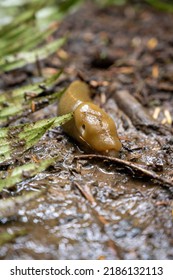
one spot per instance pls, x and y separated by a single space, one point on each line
18 103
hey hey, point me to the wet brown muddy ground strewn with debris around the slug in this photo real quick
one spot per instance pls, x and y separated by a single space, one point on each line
98 208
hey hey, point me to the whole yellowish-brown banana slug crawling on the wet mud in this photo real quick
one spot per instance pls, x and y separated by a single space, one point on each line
90 125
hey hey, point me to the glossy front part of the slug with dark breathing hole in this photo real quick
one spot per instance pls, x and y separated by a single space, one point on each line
96 128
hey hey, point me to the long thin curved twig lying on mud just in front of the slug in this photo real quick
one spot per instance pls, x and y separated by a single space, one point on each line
127 164
